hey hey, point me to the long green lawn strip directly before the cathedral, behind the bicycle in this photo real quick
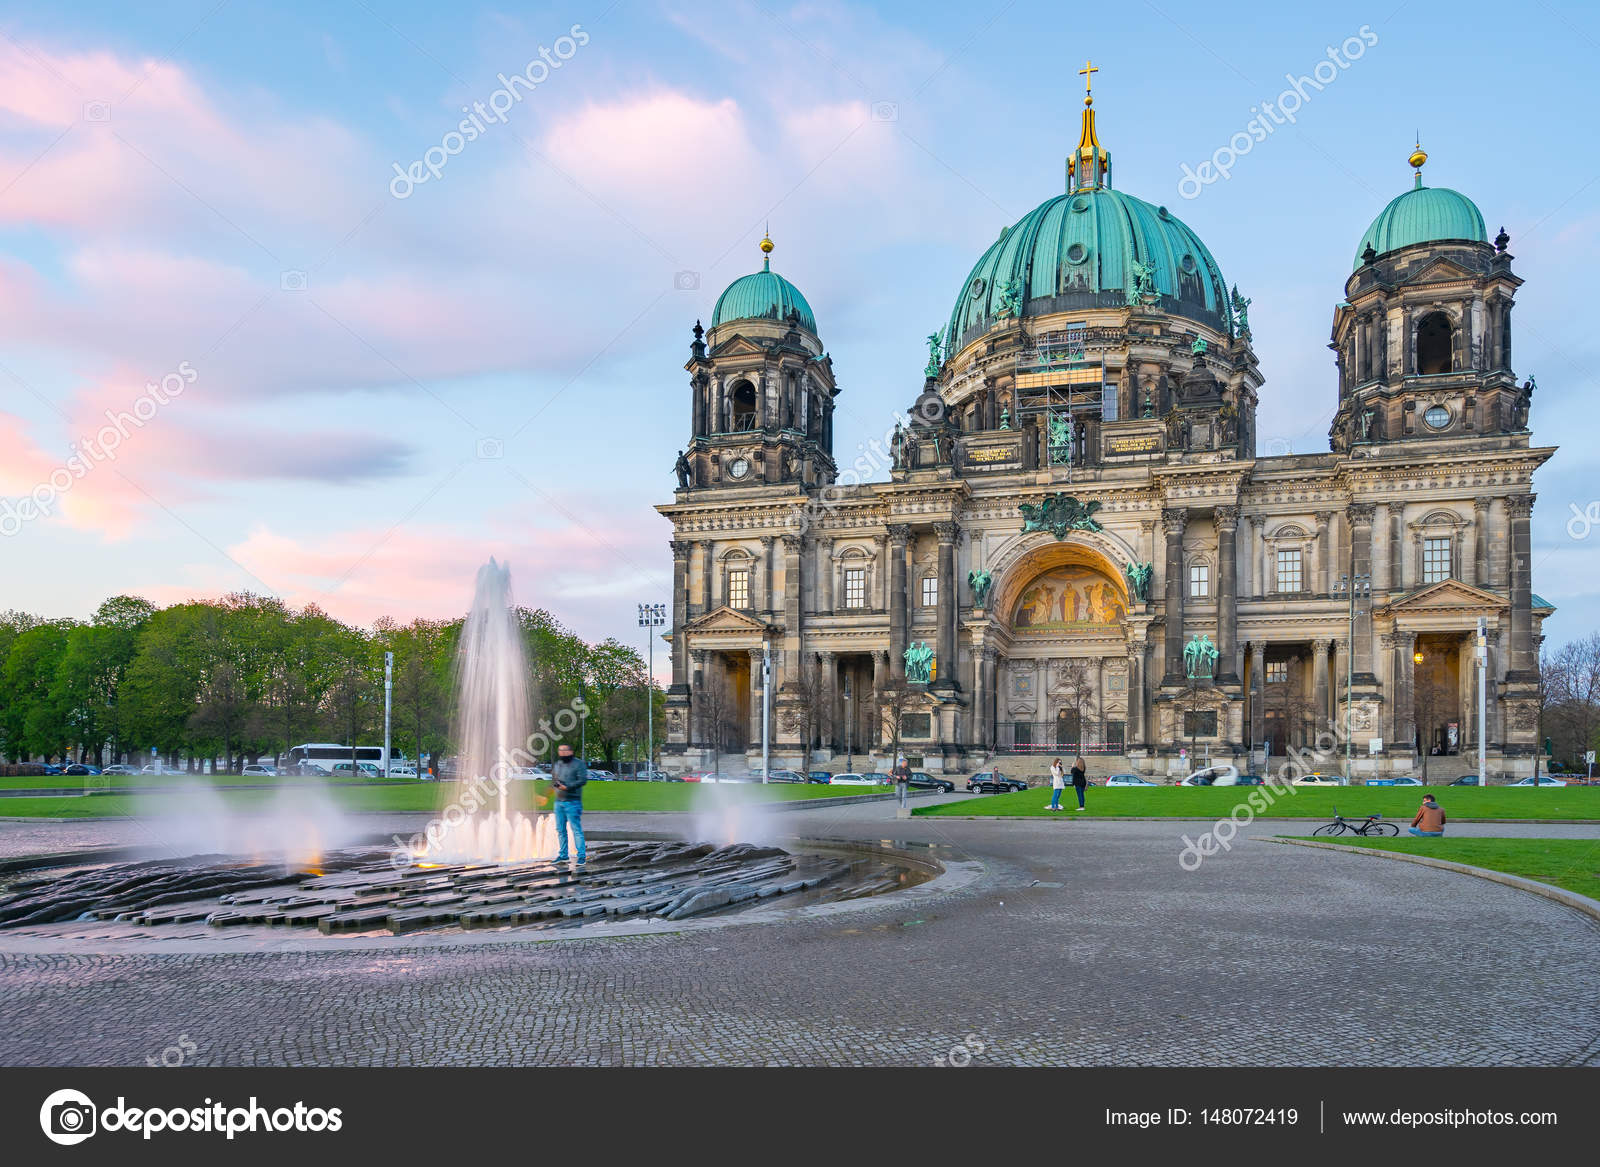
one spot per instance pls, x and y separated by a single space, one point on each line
1575 803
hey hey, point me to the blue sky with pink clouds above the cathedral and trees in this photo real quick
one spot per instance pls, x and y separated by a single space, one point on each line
270 323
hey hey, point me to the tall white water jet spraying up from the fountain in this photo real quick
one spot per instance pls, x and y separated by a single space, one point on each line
482 822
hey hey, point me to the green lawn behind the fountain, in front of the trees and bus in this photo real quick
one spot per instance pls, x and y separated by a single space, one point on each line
433 796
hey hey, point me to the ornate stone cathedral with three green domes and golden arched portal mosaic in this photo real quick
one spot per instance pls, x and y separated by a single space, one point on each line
1081 545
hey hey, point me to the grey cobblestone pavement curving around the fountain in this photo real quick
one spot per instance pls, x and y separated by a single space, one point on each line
1079 944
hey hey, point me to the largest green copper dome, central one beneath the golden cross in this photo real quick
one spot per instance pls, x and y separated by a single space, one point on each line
1078 252
